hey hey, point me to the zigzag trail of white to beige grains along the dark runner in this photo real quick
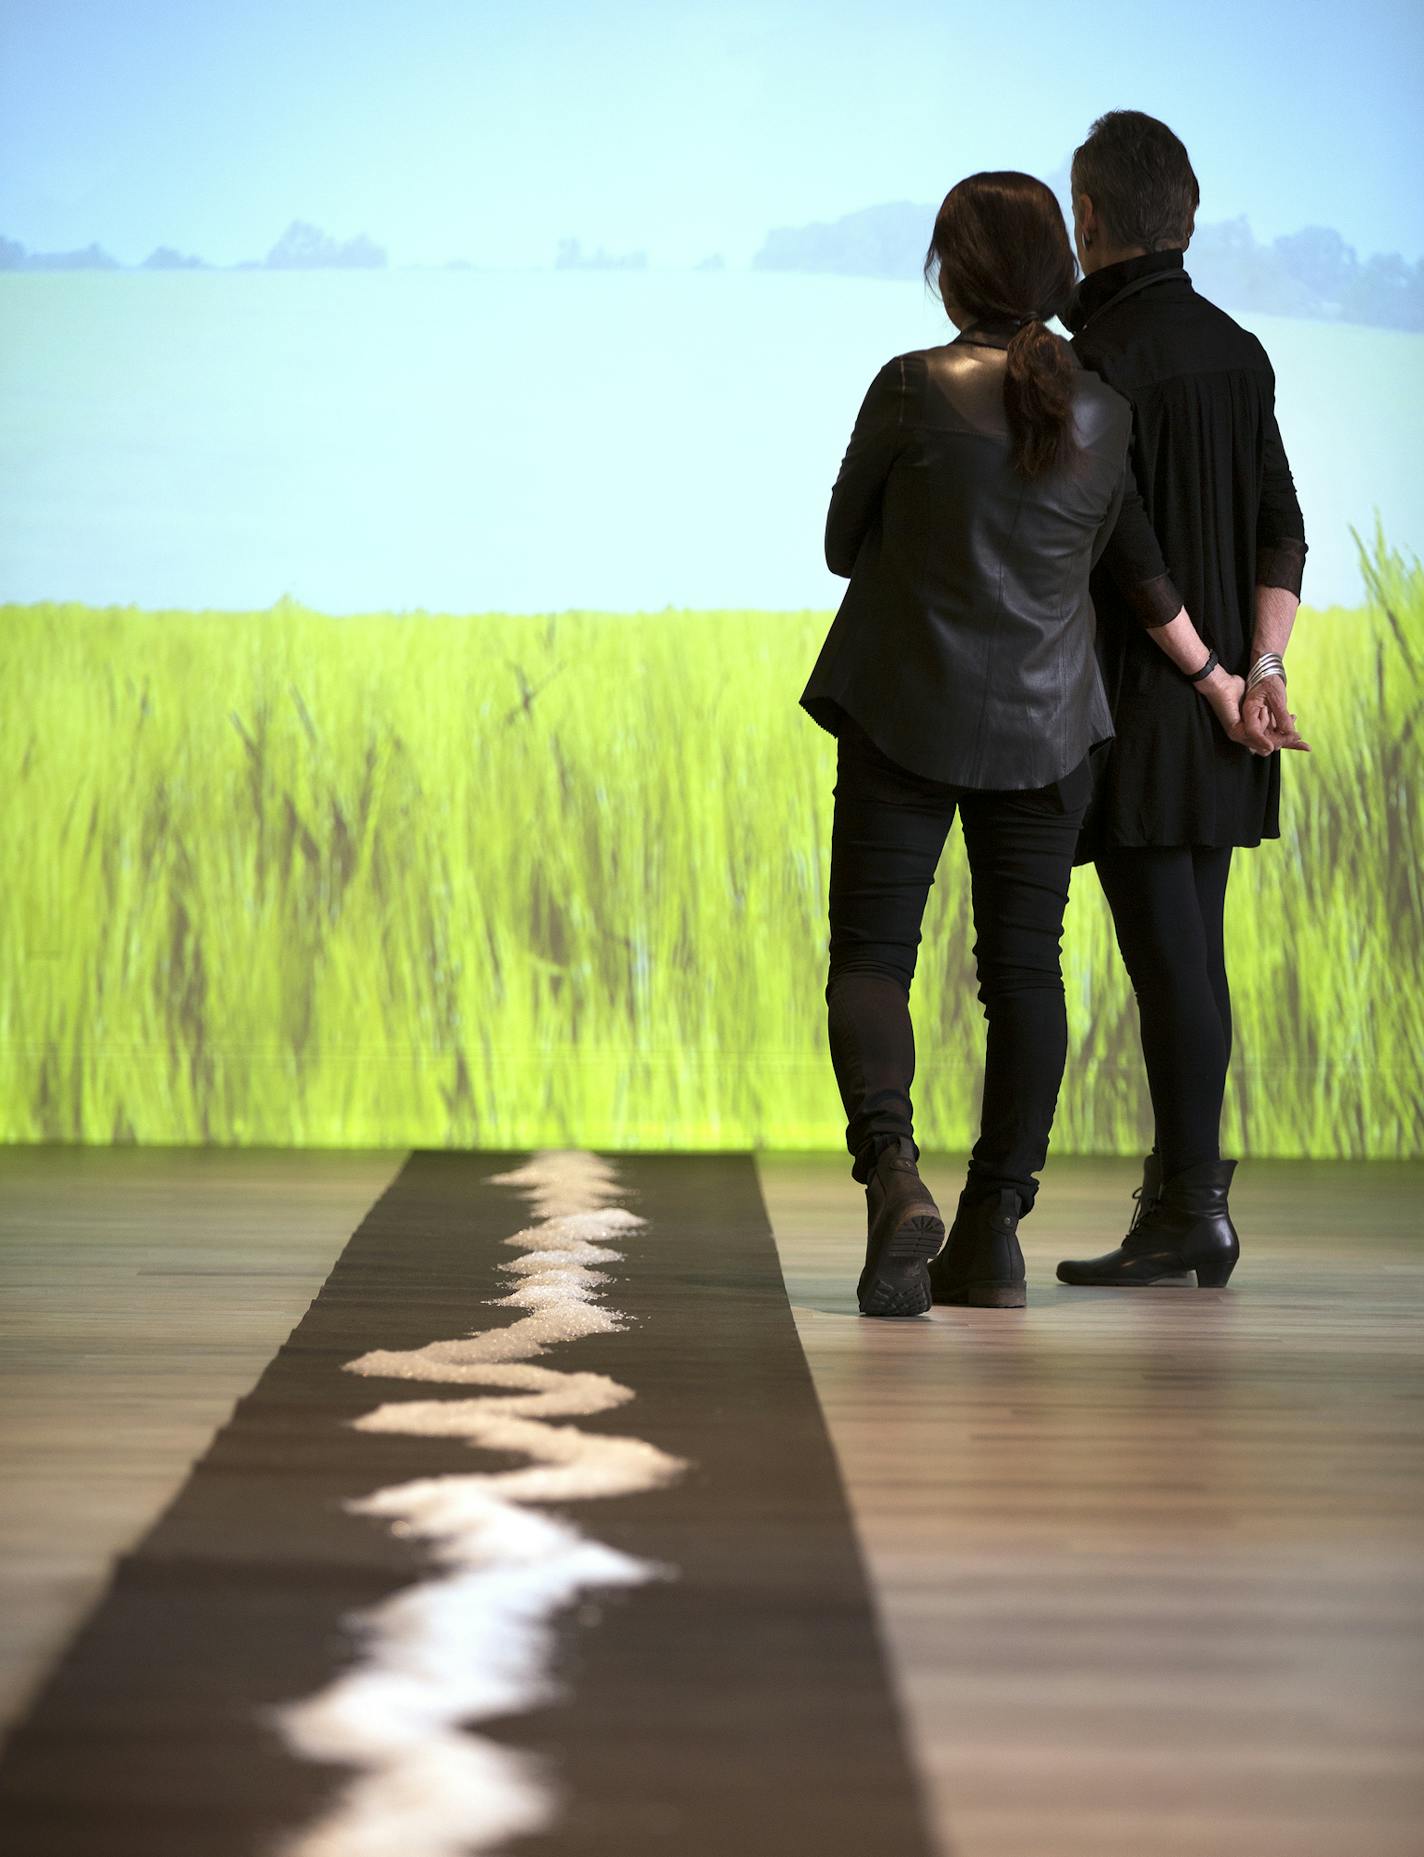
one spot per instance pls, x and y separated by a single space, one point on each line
476 1641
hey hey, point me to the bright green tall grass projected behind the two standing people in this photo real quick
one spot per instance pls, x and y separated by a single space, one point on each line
493 881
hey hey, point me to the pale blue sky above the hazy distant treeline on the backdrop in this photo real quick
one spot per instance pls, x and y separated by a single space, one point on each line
491 131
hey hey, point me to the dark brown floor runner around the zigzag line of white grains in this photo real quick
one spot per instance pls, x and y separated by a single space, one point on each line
736 1711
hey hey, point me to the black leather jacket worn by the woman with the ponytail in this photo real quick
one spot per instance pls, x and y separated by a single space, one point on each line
964 643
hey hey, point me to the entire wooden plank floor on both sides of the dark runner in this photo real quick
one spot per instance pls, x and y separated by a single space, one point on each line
1148 1563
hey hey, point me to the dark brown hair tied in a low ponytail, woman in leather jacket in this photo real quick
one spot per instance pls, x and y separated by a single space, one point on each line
1002 255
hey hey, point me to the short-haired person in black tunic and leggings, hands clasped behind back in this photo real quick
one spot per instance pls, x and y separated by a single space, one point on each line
1176 794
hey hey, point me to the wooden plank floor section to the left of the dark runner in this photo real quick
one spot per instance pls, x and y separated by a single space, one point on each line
142 1292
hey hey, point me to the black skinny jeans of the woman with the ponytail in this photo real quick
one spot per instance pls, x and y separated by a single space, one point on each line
887 842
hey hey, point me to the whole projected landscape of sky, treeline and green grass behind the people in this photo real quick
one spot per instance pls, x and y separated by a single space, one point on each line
409 580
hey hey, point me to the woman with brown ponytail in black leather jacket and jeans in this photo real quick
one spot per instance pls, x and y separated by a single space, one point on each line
983 482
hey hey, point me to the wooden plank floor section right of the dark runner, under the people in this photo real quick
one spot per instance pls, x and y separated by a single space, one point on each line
1152 1563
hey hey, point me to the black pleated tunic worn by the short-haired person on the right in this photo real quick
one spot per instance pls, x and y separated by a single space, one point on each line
1217 517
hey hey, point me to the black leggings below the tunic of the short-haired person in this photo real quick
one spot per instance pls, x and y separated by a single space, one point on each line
1169 907
